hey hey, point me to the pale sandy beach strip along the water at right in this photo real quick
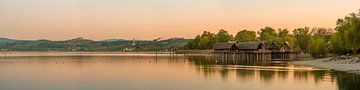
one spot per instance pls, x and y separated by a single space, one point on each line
338 65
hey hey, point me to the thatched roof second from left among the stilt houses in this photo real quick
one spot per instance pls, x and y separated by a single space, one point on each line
249 45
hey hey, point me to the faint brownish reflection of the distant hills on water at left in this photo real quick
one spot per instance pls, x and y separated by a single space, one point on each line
88 60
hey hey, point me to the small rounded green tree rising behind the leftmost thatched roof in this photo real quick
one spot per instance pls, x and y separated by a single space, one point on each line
223 36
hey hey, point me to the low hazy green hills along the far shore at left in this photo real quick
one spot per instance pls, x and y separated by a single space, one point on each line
82 44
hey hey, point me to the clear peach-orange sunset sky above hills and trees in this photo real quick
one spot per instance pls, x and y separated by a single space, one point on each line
150 19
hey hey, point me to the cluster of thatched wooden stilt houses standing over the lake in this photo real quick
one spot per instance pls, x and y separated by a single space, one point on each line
253 51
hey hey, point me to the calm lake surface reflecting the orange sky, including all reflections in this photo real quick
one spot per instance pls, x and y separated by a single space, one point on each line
162 73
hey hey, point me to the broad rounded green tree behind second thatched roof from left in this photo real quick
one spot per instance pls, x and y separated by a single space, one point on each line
246 36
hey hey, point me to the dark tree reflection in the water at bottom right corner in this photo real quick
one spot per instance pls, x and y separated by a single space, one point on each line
348 81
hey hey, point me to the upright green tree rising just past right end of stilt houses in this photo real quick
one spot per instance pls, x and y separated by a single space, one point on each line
302 36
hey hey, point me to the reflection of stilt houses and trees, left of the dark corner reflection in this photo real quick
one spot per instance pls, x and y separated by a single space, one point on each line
212 68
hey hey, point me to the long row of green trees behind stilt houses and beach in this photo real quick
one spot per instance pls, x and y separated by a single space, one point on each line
319 42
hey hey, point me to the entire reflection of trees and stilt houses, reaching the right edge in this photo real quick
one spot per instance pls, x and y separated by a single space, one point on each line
268 73
